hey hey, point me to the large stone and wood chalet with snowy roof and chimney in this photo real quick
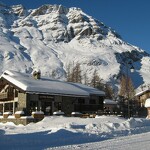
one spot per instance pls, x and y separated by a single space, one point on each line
28 93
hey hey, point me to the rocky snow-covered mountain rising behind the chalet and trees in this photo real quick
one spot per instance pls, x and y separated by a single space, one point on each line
52 36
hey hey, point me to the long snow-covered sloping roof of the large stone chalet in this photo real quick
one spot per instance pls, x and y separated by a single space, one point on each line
47 85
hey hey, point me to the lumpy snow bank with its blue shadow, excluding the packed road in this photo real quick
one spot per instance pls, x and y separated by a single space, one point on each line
57 131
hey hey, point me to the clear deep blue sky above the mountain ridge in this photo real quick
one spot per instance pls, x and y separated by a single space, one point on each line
130 18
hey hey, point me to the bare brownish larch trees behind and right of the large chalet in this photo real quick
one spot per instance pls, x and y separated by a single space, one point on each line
74 74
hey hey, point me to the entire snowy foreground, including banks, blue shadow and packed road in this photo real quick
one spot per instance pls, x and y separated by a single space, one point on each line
60 133
